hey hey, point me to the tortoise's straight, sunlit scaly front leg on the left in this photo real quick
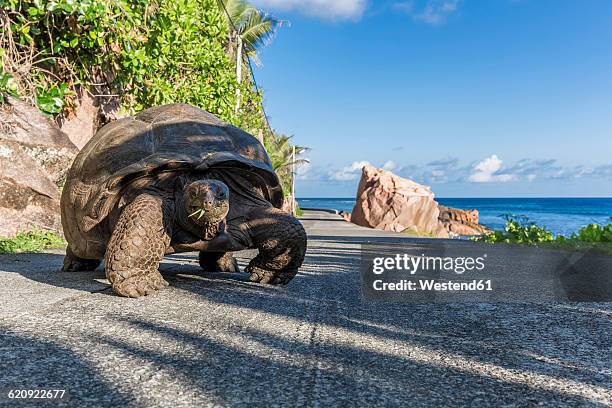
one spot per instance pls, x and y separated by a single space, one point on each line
137 245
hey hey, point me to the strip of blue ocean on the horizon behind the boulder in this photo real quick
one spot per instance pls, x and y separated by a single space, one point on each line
559 215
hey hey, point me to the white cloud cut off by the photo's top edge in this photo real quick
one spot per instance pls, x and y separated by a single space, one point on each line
327 9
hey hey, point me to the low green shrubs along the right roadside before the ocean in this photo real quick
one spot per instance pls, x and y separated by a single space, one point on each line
521 231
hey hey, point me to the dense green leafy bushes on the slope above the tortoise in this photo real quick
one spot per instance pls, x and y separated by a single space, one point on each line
146 52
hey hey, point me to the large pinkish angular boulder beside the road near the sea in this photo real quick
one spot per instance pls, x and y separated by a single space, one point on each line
392 203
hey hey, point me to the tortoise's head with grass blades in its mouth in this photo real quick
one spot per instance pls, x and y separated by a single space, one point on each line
206 202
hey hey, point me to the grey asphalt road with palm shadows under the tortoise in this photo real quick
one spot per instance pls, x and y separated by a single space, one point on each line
216 340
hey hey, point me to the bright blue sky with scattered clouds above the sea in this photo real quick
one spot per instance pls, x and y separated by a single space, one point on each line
474 98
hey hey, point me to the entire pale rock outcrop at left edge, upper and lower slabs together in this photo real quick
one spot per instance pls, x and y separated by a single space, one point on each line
34 158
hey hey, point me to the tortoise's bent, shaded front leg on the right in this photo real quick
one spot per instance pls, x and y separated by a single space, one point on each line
281 241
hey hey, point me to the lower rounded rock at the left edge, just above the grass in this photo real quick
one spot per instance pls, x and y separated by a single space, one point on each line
28 198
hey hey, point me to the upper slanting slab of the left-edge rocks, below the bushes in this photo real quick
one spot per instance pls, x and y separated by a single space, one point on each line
37 136
